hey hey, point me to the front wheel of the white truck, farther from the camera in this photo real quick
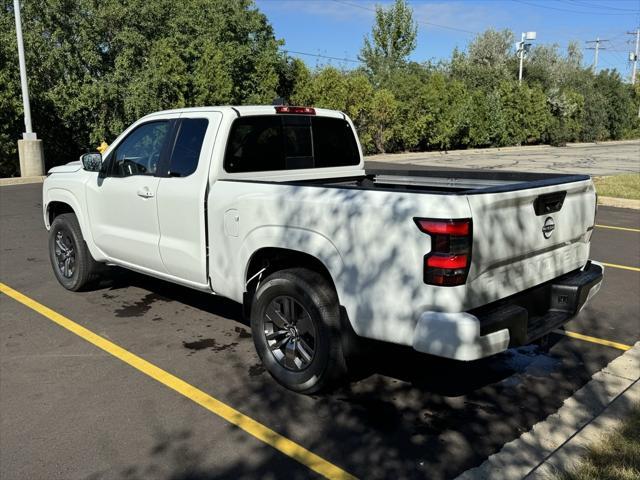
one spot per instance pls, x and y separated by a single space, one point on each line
72 263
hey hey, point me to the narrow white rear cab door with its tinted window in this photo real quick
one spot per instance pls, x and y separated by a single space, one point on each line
184 179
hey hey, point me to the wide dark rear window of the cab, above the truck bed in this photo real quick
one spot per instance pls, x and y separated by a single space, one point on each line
289 142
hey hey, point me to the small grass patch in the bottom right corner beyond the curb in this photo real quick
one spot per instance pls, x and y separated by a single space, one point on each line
615 457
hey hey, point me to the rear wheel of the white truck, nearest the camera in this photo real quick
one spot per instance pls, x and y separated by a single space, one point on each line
307 358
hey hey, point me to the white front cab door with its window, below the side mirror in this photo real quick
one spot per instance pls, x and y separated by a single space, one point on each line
122 203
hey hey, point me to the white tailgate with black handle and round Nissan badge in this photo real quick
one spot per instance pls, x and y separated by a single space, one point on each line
524 237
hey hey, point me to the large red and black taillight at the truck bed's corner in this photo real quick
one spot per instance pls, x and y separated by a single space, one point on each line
447 265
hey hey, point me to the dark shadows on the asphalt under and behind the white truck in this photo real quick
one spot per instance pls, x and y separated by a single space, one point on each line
402 415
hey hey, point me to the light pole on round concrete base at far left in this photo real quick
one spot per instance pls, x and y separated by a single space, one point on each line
29 148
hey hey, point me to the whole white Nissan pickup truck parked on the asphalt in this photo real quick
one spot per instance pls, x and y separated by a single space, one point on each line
272 207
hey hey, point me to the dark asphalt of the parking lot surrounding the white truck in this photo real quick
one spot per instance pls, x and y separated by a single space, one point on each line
71 410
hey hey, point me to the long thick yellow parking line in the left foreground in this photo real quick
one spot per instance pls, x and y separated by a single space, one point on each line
231 415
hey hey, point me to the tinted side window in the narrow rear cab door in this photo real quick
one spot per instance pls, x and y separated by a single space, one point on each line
186 150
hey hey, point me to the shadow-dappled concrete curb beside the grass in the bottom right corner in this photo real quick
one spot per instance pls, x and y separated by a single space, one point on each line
550 444
